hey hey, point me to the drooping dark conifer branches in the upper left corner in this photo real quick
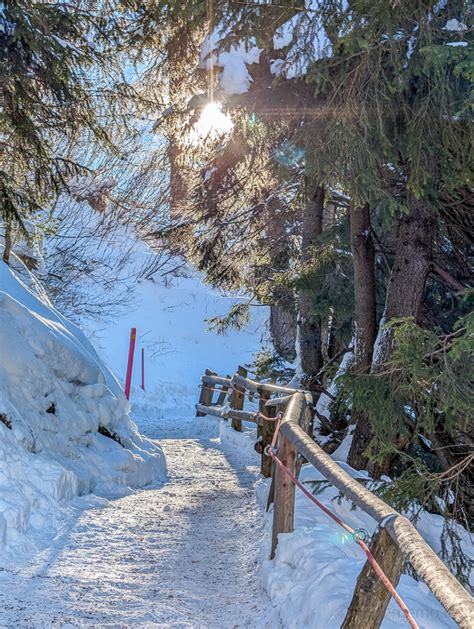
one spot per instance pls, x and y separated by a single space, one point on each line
59 82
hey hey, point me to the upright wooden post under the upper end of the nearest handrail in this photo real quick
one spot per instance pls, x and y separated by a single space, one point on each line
284 507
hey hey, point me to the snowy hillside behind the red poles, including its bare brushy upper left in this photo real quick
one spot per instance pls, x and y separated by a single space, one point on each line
166 301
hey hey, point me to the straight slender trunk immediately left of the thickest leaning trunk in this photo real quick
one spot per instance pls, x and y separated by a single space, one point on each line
363 254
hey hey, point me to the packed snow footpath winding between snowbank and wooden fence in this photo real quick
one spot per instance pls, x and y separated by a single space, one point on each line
185 554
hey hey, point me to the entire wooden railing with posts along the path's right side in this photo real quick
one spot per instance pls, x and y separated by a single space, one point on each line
396 539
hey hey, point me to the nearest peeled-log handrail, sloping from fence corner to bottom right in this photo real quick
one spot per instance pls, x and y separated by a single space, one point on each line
445 587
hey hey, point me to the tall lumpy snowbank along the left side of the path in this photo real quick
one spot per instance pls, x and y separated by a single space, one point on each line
55 393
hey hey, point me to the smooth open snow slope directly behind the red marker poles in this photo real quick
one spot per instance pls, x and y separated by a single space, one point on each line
170 316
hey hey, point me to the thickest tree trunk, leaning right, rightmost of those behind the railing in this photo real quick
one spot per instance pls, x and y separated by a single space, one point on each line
404 298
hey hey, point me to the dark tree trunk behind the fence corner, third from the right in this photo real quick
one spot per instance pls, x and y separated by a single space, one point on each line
309 325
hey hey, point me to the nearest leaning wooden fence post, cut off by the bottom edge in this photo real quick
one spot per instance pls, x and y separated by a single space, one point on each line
370 598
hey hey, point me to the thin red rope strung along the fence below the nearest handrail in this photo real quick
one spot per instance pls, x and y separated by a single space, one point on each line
373 562
